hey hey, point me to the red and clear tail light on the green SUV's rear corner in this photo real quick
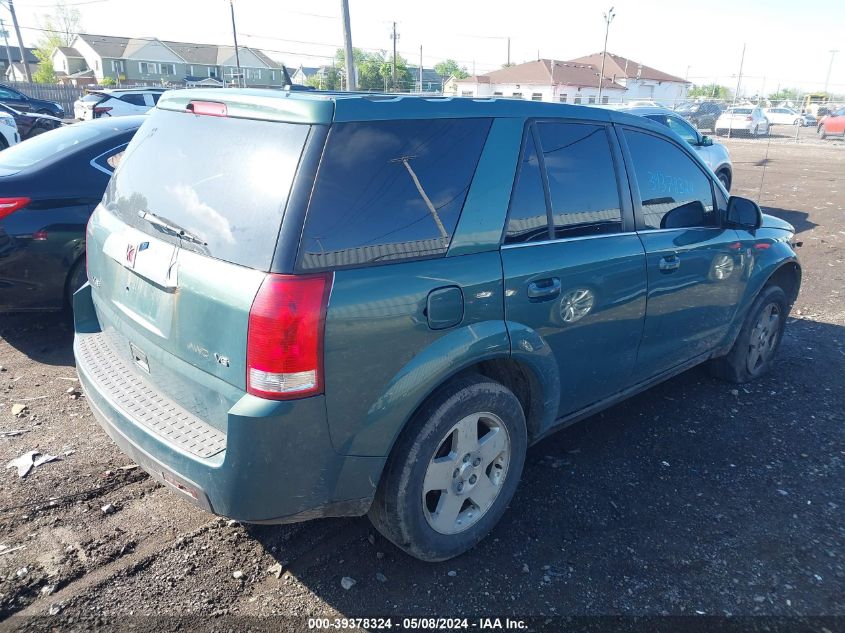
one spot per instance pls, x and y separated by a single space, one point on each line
285 337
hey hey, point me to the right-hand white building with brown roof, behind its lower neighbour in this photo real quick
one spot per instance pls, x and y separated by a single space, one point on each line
640 81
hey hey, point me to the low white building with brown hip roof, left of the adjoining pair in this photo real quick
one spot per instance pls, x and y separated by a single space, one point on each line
542 80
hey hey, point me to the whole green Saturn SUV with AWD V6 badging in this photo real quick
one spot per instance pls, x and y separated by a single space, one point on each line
304 305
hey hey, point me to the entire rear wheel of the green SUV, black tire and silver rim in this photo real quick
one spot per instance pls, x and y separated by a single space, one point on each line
479 476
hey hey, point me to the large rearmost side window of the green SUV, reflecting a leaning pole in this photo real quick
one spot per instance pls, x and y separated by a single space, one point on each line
390 190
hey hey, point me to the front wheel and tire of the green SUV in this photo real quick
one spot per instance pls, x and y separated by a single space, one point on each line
758 341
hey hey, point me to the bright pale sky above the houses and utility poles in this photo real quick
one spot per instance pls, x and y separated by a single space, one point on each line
788 43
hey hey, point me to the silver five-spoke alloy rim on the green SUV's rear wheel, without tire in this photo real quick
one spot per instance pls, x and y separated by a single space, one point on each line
466 473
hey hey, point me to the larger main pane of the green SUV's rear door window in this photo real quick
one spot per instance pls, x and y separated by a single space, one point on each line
582 179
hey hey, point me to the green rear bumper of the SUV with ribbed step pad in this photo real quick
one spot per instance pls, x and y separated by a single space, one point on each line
274 464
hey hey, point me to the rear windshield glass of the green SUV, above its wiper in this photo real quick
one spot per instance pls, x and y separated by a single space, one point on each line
225 181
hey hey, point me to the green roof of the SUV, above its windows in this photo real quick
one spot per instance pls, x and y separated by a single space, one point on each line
316 107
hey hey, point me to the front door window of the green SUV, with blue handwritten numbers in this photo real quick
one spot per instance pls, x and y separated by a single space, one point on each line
674 191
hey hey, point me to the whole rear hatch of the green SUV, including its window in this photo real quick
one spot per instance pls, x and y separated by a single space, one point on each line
181 244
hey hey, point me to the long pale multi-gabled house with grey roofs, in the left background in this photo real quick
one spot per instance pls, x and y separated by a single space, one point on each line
150 61
